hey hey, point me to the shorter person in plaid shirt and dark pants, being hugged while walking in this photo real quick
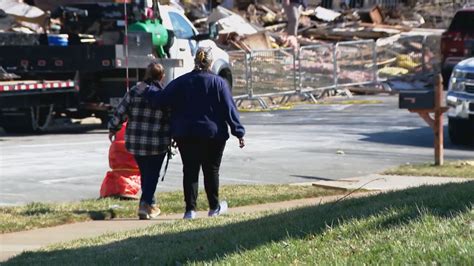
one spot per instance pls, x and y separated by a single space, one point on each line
147 136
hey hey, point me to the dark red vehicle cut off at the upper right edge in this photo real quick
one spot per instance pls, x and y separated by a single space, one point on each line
457 42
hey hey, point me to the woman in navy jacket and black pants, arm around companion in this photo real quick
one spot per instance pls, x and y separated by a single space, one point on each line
202 108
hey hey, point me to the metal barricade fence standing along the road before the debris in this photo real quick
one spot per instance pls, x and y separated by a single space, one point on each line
320 69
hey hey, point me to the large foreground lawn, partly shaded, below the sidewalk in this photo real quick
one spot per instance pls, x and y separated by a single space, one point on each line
425 225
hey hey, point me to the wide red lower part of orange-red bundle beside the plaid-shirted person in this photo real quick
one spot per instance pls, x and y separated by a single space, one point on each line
121 183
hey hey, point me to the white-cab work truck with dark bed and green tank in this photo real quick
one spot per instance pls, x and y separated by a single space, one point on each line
96 65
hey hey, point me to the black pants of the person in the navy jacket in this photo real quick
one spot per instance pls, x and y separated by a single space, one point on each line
197 153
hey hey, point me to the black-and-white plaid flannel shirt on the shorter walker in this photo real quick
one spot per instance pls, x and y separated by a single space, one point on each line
148 130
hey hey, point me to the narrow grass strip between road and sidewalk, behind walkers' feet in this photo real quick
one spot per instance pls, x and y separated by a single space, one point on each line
38 215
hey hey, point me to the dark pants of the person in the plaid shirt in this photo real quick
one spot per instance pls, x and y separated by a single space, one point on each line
150 167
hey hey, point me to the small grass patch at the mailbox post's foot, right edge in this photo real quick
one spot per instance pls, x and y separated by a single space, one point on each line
449 169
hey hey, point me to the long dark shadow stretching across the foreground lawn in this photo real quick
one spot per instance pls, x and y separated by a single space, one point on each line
210 243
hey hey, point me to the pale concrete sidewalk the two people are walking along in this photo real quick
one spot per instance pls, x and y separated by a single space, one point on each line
14 243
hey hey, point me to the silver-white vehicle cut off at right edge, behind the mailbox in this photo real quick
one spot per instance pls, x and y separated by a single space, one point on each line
460 99
